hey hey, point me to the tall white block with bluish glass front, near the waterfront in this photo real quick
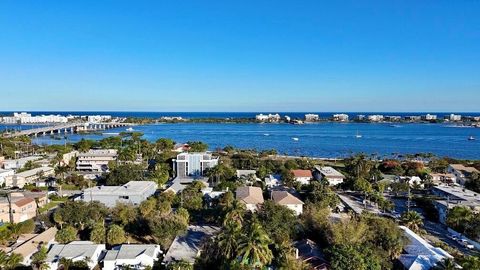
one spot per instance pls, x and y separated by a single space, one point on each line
193 164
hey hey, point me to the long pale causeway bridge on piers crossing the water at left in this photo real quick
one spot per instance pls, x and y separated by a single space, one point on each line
66 128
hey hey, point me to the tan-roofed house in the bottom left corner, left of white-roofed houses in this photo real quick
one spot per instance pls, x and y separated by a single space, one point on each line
29 244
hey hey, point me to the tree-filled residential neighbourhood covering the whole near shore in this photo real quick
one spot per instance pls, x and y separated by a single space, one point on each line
126 202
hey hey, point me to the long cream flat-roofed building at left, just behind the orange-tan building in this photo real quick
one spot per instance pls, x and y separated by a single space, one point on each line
30 177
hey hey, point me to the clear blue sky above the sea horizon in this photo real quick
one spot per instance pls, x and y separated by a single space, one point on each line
240 55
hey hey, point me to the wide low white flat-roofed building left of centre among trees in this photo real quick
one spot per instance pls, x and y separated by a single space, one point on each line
133 192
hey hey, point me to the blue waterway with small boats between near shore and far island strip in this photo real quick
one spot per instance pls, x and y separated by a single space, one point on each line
317 140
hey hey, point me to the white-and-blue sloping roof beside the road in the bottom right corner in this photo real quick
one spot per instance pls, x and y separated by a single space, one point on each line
420 255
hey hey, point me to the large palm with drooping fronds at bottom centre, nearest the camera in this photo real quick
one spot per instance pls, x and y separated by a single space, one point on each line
253 247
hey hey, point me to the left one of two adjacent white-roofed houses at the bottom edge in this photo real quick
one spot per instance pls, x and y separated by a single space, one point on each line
75 251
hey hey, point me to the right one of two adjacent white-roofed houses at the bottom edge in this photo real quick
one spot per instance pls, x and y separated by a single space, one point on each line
134 256
